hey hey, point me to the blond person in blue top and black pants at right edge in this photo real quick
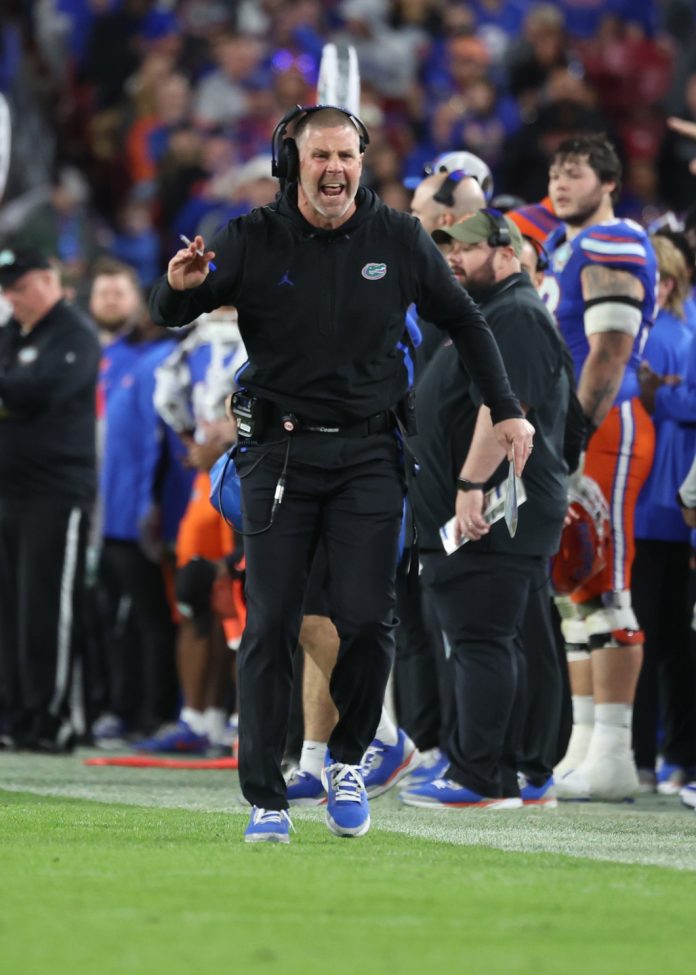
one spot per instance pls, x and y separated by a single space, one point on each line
661 569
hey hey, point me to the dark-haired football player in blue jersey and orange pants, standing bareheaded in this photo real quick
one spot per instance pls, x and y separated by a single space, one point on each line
601 287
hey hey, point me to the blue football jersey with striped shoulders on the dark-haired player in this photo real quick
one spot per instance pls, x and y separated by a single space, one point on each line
619 244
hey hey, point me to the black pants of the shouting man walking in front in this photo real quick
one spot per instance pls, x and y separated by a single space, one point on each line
349 493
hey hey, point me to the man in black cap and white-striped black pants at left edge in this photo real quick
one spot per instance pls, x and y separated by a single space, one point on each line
49 358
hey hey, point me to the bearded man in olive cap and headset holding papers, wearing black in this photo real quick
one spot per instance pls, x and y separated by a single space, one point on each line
483 591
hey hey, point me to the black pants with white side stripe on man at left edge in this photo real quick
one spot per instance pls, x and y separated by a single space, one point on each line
42 567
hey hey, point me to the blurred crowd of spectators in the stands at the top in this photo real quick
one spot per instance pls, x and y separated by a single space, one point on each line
137 120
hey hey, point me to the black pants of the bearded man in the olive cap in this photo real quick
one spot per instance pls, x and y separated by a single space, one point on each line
481 598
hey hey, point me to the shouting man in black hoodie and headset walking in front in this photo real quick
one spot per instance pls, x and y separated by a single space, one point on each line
322 279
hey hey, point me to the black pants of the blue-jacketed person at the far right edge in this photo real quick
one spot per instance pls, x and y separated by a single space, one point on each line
667 683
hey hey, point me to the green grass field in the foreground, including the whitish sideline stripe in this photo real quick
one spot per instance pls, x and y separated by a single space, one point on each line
110 870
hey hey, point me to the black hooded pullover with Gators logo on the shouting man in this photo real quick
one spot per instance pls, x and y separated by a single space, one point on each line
321 311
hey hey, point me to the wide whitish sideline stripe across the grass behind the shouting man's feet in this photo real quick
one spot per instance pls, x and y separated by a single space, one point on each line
596 831
